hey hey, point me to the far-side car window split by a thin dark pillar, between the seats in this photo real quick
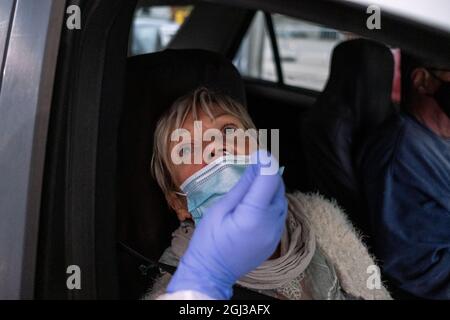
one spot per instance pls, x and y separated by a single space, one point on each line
305 51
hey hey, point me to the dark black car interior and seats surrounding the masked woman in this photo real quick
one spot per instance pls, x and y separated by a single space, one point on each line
102 209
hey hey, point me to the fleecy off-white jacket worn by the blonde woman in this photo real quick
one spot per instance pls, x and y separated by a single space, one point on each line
342 268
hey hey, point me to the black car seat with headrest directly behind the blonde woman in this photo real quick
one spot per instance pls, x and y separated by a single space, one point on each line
154 81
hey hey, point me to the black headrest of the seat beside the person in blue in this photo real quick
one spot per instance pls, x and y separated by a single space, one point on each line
360 84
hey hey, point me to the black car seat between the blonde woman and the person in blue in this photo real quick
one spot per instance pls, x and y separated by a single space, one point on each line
356 100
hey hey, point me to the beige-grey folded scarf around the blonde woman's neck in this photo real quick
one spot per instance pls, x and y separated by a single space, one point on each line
297 248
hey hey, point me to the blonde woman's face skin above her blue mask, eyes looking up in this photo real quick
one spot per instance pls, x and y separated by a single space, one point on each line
226 124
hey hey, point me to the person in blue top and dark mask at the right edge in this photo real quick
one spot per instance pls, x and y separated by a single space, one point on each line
406 177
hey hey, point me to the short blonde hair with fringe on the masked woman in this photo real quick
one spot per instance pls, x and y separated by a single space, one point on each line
201 99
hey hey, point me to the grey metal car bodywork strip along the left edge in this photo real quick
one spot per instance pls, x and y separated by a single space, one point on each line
29 39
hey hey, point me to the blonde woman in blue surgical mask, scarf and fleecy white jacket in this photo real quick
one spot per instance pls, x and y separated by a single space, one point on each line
320 255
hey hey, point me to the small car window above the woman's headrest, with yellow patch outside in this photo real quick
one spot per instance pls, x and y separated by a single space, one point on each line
154 27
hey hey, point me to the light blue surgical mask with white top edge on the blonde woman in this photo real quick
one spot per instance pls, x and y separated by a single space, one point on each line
212 182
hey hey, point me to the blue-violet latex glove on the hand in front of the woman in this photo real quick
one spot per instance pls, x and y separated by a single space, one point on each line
235 236
